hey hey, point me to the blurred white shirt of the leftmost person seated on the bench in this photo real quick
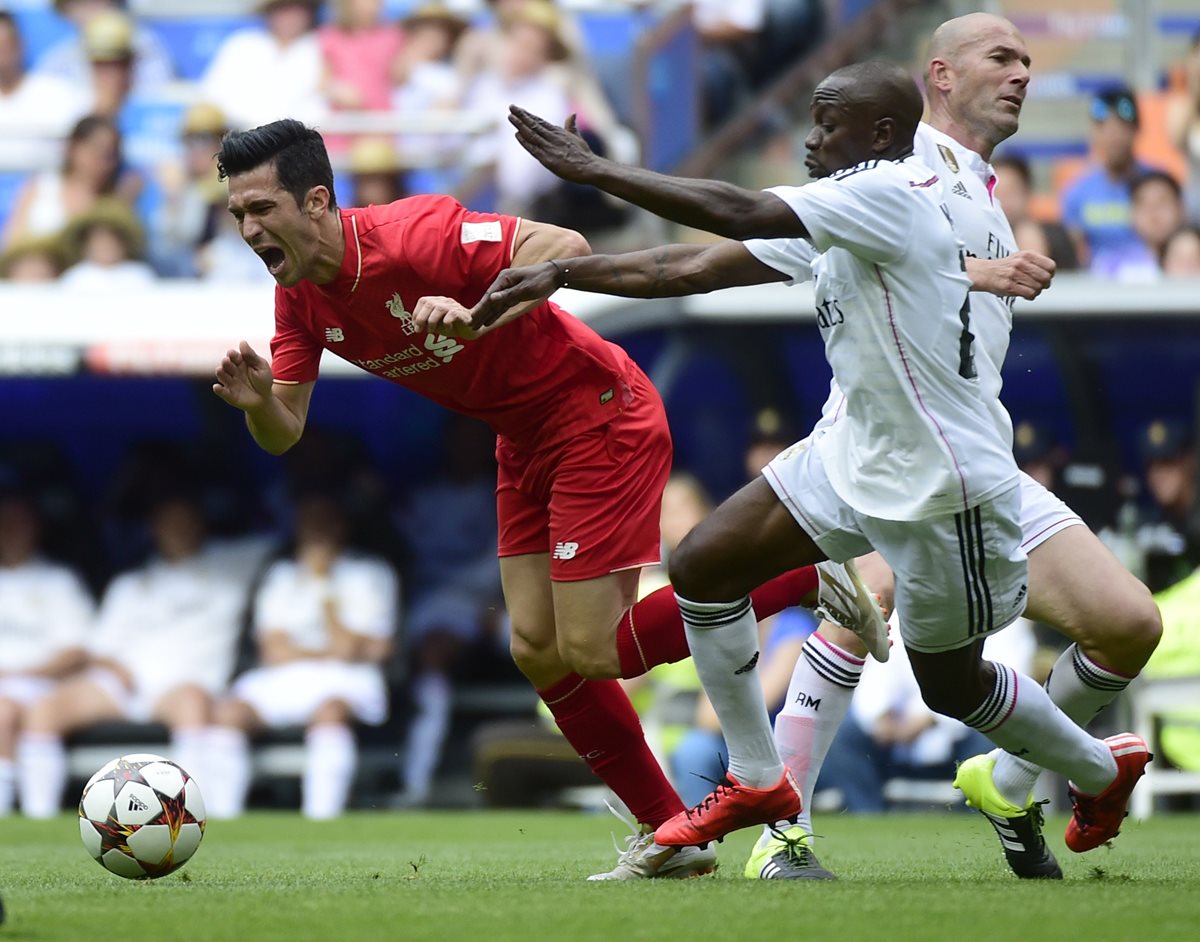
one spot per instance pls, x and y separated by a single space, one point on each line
45 610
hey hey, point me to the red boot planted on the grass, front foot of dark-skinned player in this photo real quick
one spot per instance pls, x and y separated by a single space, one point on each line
730 808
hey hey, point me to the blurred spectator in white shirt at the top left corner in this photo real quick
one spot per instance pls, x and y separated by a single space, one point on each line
37 111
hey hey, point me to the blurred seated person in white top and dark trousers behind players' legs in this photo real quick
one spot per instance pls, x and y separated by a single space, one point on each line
891 734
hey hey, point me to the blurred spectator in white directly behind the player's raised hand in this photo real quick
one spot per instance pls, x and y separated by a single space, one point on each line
531 45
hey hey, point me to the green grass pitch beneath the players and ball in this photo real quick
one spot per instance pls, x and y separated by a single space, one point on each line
521 877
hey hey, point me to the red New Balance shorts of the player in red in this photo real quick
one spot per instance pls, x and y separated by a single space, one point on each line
592 502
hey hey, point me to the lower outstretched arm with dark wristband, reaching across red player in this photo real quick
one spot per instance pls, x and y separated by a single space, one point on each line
669 272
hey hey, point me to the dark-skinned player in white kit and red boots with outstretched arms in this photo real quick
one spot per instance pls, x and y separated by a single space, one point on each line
916 461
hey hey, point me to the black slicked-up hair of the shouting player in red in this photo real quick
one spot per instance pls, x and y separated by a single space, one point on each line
297 152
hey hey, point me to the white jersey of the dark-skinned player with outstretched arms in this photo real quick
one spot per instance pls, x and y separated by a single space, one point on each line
917 437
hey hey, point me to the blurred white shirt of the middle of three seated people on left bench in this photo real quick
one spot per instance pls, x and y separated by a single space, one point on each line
171 625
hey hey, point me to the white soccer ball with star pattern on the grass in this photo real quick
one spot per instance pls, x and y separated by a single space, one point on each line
141 817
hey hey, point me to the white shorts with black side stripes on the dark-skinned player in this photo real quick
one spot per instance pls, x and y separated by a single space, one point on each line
959 577
